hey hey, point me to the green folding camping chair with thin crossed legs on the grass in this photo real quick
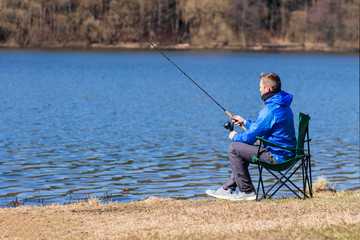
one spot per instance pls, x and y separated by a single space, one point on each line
285 170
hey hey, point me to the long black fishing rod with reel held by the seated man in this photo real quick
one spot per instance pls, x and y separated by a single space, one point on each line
226 125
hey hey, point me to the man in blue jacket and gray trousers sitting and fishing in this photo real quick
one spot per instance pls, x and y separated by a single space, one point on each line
274 123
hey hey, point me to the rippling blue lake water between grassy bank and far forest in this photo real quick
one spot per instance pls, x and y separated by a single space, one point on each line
128 125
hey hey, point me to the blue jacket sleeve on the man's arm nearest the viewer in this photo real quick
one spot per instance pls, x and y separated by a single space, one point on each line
261 127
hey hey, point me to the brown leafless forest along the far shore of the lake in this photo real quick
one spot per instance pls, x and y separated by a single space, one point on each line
327 25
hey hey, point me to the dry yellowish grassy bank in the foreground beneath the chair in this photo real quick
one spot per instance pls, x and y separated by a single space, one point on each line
327 216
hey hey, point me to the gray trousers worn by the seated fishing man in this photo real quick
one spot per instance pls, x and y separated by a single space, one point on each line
240 156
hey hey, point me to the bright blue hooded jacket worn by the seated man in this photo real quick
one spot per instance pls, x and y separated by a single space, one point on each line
275 123
